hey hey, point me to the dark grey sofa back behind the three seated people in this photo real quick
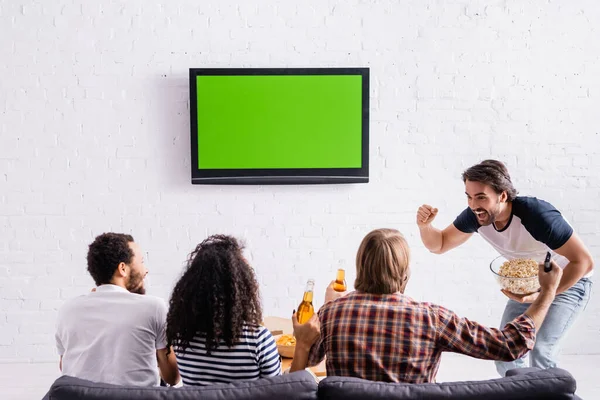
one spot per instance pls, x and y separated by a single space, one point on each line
524 384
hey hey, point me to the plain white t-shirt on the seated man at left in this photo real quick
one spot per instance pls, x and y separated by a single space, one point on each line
111 336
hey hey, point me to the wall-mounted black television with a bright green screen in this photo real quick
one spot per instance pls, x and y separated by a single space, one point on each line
279 125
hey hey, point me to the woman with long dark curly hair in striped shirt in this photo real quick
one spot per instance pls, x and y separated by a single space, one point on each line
214 318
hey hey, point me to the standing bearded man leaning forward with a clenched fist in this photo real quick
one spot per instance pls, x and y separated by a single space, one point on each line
519 227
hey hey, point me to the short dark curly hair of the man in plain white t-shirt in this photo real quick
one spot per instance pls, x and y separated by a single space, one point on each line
105 254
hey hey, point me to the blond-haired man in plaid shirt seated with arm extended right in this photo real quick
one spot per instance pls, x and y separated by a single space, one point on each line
380 334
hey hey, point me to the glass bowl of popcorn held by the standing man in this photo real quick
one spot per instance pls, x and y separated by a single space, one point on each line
518 276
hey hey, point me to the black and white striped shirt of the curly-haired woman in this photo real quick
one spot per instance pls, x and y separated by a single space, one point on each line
254 356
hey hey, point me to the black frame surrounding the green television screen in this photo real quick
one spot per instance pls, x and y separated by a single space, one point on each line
280 176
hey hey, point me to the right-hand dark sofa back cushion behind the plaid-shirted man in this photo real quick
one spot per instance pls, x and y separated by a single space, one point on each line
552 384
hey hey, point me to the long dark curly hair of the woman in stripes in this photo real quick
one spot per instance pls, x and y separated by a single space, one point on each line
215 297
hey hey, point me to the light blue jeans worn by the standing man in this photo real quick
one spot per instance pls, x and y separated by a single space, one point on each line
562 313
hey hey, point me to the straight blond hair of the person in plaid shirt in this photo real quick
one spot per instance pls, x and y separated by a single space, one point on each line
382 262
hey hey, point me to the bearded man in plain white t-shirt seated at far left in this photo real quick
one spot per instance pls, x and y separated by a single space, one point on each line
115 334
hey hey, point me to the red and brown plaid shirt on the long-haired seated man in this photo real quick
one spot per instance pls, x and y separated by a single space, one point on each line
393 338
